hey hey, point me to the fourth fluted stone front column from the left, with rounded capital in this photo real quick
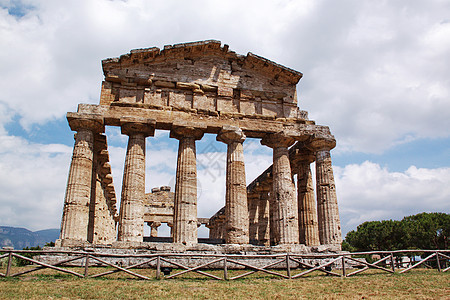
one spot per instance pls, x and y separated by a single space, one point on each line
236 206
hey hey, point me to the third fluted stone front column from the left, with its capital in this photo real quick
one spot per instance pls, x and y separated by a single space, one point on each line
185 206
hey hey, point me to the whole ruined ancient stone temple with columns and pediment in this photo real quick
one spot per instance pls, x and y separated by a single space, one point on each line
192 89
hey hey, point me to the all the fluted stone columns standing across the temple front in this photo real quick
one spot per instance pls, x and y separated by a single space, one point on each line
286 213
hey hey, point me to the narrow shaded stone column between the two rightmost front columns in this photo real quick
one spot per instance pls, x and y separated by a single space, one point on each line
307 213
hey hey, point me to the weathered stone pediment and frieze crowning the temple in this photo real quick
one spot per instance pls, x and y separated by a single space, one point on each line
201 76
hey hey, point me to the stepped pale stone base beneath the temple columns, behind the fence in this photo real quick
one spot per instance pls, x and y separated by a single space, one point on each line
192 256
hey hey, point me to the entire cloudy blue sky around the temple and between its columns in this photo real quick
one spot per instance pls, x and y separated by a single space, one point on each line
375 72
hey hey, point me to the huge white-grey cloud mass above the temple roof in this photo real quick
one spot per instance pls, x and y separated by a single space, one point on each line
374 71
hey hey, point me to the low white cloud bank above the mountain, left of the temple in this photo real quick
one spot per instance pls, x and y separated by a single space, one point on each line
32 180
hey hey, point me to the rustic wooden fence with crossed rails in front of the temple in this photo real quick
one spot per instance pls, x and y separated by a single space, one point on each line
279 265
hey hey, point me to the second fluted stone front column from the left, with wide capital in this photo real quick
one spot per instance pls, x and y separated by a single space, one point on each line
131 219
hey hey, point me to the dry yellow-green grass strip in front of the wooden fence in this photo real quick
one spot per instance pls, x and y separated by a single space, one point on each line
46 284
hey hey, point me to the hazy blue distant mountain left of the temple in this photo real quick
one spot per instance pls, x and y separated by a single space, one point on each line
20 238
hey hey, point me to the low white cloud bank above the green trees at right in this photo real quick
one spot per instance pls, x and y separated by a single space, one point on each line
368 192
